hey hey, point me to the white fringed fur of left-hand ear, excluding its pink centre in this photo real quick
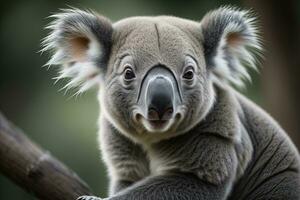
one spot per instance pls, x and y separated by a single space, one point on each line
83 73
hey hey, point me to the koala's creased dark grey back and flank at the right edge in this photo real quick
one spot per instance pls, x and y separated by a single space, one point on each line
275 161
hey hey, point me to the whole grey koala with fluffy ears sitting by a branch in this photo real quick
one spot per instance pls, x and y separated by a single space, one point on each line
172 125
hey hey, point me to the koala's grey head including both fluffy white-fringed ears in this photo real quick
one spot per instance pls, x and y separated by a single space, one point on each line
156 74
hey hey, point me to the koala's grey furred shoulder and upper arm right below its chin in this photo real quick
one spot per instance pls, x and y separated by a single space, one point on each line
214 150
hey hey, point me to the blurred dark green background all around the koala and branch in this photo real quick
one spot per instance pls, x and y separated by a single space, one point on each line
67 127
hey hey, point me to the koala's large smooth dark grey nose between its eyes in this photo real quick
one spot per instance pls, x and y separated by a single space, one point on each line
160 97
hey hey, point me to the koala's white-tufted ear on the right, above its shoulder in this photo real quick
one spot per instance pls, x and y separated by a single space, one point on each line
230 43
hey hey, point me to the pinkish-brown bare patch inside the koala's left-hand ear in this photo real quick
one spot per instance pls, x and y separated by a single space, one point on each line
79 47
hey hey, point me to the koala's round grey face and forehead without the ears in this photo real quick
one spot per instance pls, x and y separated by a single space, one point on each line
157 84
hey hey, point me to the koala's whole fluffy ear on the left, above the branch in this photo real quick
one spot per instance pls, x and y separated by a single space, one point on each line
80 43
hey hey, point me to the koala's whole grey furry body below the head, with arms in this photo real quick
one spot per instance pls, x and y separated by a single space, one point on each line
263 164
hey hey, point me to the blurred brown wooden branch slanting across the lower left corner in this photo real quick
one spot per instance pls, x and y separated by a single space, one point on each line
35 170
